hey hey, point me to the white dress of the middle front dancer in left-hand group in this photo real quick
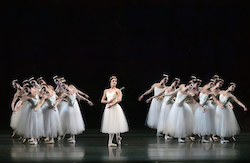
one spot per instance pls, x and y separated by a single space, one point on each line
51 117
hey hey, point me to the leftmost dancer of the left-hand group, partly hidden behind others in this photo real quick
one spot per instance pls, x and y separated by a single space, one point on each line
16 102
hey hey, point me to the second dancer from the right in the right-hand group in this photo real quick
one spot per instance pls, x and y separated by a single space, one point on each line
204 119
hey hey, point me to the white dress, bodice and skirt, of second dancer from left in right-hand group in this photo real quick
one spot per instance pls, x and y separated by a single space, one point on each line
167 104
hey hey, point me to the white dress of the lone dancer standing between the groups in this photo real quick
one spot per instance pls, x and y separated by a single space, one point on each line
113 119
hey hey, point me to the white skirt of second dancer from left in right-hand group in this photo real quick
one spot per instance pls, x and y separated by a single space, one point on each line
165 109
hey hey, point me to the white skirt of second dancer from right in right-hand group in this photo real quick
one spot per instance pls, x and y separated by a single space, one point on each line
204 122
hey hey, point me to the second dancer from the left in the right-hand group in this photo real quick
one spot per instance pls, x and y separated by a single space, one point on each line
166 105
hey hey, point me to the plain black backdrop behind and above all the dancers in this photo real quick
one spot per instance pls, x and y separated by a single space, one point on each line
88 41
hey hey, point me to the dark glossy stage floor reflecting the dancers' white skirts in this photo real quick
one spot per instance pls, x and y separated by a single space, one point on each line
138 145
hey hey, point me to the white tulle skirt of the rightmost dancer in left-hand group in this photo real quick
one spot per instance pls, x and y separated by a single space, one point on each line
71 119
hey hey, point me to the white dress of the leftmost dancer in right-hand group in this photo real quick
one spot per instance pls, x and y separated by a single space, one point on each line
154 110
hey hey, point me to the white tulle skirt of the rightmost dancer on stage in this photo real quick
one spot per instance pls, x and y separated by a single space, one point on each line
226 124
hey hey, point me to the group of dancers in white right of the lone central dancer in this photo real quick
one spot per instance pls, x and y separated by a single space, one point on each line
189 110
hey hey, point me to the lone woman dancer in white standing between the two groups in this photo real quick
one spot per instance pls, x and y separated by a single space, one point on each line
113 119
